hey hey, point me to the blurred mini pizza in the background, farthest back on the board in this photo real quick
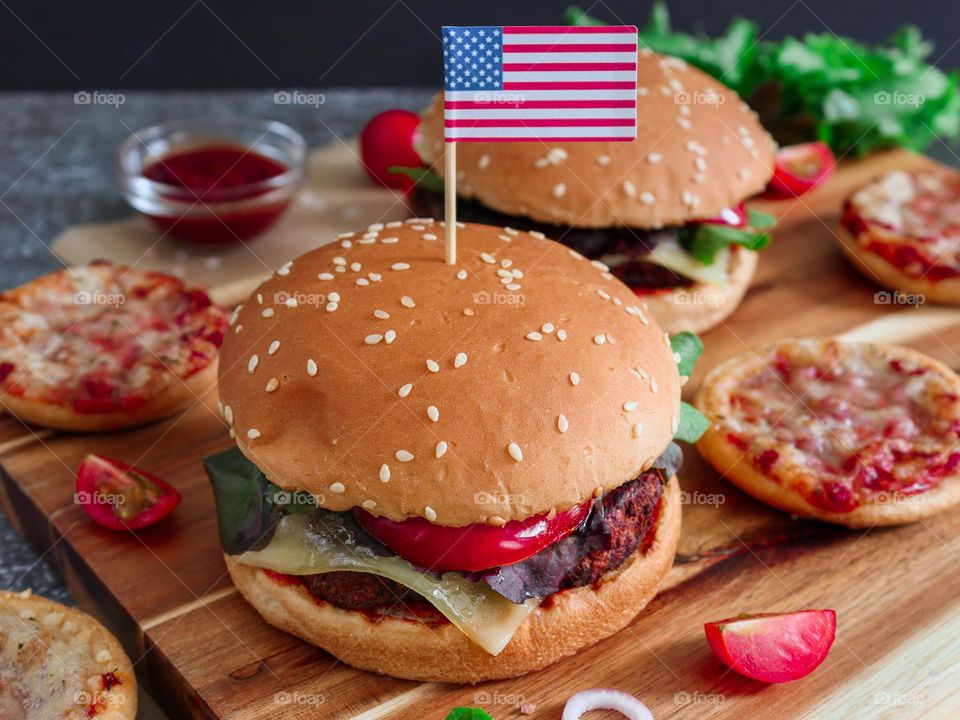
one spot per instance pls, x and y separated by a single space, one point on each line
902 230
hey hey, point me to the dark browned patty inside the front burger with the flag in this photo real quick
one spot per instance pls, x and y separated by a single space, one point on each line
623 522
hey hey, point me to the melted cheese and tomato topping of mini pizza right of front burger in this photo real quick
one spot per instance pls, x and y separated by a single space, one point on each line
846 424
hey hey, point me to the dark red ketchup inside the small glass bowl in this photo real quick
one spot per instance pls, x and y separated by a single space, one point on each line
217 186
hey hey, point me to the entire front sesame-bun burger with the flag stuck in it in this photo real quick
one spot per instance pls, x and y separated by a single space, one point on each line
448 472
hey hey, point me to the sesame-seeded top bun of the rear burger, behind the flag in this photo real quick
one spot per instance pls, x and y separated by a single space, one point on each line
699 149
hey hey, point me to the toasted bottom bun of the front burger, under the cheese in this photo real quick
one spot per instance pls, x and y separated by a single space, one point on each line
573 619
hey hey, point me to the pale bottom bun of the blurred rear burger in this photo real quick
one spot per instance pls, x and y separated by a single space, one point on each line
700 307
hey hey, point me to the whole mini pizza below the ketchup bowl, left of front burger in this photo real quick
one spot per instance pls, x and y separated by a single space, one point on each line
103 347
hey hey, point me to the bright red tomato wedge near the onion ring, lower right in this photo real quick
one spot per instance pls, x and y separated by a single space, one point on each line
772 647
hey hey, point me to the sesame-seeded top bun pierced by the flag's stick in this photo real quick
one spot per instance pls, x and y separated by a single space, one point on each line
521 380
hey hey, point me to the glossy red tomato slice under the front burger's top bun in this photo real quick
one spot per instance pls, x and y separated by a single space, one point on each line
473 547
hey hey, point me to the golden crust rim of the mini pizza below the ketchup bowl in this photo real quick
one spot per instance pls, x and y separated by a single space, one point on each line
178 396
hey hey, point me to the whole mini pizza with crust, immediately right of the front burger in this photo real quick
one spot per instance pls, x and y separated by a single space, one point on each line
858 434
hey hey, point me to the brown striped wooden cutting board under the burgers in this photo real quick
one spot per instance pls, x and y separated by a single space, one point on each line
206 654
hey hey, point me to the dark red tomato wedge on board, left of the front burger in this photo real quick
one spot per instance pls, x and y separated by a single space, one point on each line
119 496
